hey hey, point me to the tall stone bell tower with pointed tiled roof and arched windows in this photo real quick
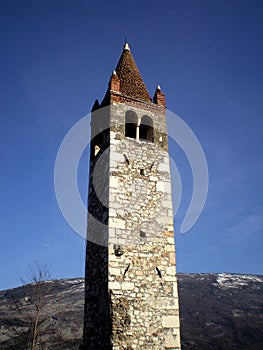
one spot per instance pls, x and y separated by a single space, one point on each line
131 299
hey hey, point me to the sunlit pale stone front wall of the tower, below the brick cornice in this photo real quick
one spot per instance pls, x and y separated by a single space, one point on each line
142 274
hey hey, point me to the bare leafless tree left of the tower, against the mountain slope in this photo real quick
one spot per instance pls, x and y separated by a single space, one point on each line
29 309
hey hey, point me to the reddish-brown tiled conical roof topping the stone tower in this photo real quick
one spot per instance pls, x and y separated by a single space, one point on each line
131 83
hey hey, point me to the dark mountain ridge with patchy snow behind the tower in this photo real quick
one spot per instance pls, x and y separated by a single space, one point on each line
218 311
